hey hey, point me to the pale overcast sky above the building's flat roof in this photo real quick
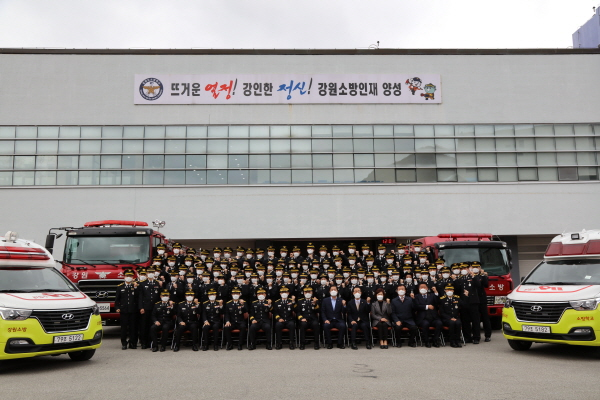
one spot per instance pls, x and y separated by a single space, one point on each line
306 24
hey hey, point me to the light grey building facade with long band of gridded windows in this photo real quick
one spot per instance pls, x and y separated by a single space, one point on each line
512 148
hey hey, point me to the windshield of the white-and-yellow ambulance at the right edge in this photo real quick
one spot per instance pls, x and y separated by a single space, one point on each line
565 272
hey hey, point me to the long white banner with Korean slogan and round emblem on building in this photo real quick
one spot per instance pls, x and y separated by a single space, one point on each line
287 89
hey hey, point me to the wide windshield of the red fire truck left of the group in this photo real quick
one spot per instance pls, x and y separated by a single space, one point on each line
107 249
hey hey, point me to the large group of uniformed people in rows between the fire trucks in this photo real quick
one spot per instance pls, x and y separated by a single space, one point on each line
255 291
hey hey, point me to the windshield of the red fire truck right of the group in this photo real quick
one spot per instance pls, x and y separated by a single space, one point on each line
494 261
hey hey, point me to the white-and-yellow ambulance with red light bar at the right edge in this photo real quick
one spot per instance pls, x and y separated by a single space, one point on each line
558 301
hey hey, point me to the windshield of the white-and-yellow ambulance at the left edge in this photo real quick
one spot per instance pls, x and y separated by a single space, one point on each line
33 280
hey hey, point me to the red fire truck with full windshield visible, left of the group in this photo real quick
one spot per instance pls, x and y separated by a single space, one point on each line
97 254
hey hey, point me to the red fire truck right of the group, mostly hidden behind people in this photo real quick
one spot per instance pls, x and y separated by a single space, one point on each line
495 258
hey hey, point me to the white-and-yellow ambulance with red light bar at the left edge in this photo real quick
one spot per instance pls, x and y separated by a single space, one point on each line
41 311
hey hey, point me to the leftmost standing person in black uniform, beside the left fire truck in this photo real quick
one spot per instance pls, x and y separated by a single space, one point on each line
127 305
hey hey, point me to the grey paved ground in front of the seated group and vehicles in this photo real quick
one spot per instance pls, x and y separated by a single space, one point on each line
485 371
